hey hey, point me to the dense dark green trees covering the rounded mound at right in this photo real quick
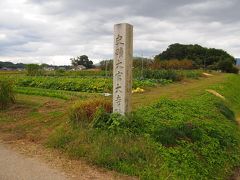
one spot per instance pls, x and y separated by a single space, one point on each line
201 56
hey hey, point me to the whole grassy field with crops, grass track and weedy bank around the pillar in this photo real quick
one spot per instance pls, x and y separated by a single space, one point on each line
176 129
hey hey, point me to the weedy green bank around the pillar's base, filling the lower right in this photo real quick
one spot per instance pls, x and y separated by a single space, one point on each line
195 138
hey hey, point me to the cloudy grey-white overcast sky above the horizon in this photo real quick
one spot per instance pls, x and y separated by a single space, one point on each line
52 31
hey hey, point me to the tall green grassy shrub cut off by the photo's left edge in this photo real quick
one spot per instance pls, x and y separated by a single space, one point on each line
6 93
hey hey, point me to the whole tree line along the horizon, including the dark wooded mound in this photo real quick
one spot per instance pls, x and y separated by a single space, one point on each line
176 56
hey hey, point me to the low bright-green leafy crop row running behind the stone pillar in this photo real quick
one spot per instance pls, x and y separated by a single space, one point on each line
86 84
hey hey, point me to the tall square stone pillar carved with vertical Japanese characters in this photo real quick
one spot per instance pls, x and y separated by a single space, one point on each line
122 68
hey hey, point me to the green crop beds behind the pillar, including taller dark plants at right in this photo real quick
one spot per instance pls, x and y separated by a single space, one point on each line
101 84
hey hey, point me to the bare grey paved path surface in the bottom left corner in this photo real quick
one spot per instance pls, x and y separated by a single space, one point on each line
15 166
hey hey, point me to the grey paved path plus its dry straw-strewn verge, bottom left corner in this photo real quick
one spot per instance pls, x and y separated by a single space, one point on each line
23 160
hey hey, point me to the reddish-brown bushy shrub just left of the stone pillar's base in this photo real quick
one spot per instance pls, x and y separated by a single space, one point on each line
84 111
